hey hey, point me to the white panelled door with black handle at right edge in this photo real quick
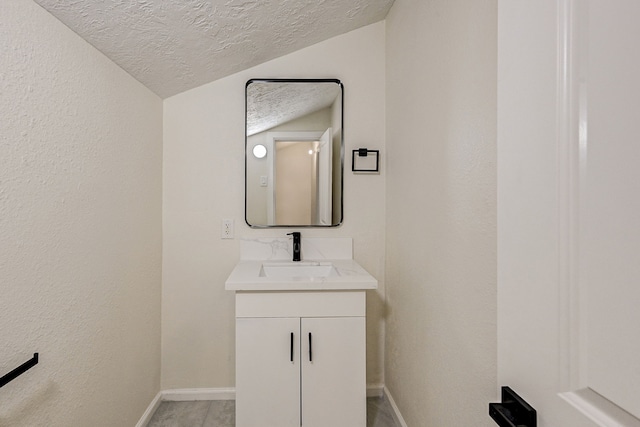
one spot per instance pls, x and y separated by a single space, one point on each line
569 209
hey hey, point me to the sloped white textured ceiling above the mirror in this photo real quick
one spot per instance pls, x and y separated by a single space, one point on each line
175 45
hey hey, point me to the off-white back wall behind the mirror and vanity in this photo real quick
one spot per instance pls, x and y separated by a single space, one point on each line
204 183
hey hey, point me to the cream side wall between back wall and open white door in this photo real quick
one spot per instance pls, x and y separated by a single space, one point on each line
441 210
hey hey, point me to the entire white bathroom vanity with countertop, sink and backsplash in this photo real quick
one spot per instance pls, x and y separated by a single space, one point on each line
300 335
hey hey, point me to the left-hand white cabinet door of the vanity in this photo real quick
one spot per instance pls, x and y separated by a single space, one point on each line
267 379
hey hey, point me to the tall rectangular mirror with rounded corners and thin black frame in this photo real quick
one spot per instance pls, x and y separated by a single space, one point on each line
293 152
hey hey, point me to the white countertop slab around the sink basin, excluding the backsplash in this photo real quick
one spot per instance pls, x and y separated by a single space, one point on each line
351 276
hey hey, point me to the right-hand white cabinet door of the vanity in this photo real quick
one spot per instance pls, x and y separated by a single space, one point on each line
333 372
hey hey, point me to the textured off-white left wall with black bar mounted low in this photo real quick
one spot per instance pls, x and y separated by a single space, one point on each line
80 224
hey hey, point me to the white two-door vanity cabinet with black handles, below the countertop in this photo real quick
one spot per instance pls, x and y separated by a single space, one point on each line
300 359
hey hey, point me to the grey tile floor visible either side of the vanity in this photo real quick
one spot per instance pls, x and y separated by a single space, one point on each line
221 413
